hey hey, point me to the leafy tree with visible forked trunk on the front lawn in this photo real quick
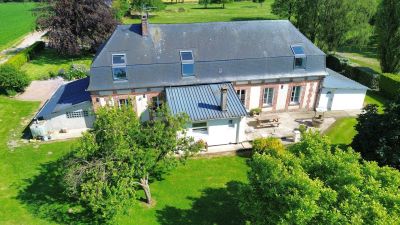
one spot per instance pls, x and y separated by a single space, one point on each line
121 154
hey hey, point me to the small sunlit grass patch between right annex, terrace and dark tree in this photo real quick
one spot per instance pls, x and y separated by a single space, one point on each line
342 131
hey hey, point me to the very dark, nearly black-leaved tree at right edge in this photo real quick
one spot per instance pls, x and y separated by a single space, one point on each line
378 135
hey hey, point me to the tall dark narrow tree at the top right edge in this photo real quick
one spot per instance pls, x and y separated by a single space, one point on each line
388 32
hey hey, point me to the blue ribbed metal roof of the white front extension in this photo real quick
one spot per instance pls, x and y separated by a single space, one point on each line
202 102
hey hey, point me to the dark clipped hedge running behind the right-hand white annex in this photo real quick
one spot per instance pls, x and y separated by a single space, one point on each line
362 75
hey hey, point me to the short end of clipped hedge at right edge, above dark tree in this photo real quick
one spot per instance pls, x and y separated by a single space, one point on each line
390 85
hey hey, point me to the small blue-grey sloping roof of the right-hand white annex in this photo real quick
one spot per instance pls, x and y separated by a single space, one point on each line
336 80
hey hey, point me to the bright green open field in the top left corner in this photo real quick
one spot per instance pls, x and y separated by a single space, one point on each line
16 20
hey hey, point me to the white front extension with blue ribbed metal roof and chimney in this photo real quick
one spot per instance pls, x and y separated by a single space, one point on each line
216 113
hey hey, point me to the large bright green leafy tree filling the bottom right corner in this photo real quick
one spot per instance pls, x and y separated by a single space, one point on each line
313 182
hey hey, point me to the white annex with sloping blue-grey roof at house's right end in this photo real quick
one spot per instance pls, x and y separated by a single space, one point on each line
341 93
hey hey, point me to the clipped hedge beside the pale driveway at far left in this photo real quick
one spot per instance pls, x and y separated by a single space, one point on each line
25 55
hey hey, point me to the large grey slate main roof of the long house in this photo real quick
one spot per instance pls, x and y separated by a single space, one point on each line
223 52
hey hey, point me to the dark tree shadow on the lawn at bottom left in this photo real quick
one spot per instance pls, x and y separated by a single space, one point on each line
45 197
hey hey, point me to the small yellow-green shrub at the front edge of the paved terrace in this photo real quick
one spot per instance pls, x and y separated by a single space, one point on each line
268 145
